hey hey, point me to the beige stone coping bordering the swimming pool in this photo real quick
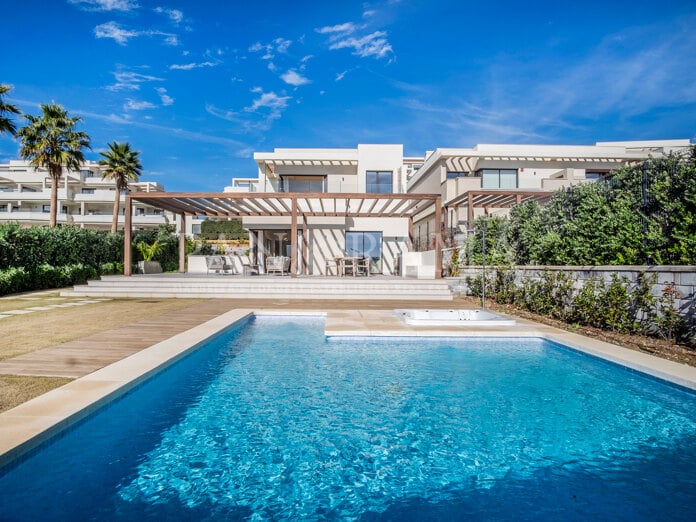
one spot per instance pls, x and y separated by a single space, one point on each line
26 426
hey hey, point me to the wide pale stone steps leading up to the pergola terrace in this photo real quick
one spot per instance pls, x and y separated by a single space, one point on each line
263 287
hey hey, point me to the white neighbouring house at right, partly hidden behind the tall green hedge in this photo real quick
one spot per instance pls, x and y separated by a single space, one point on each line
489 179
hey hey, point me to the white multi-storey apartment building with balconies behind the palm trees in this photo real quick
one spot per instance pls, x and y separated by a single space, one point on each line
84 198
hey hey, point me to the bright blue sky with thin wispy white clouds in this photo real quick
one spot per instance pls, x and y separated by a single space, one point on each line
199 86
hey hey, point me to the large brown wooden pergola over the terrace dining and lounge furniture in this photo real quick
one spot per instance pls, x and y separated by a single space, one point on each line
297 206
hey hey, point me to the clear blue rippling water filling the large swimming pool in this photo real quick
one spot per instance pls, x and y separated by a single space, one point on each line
271 421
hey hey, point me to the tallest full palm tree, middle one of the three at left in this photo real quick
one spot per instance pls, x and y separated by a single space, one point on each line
51 141
